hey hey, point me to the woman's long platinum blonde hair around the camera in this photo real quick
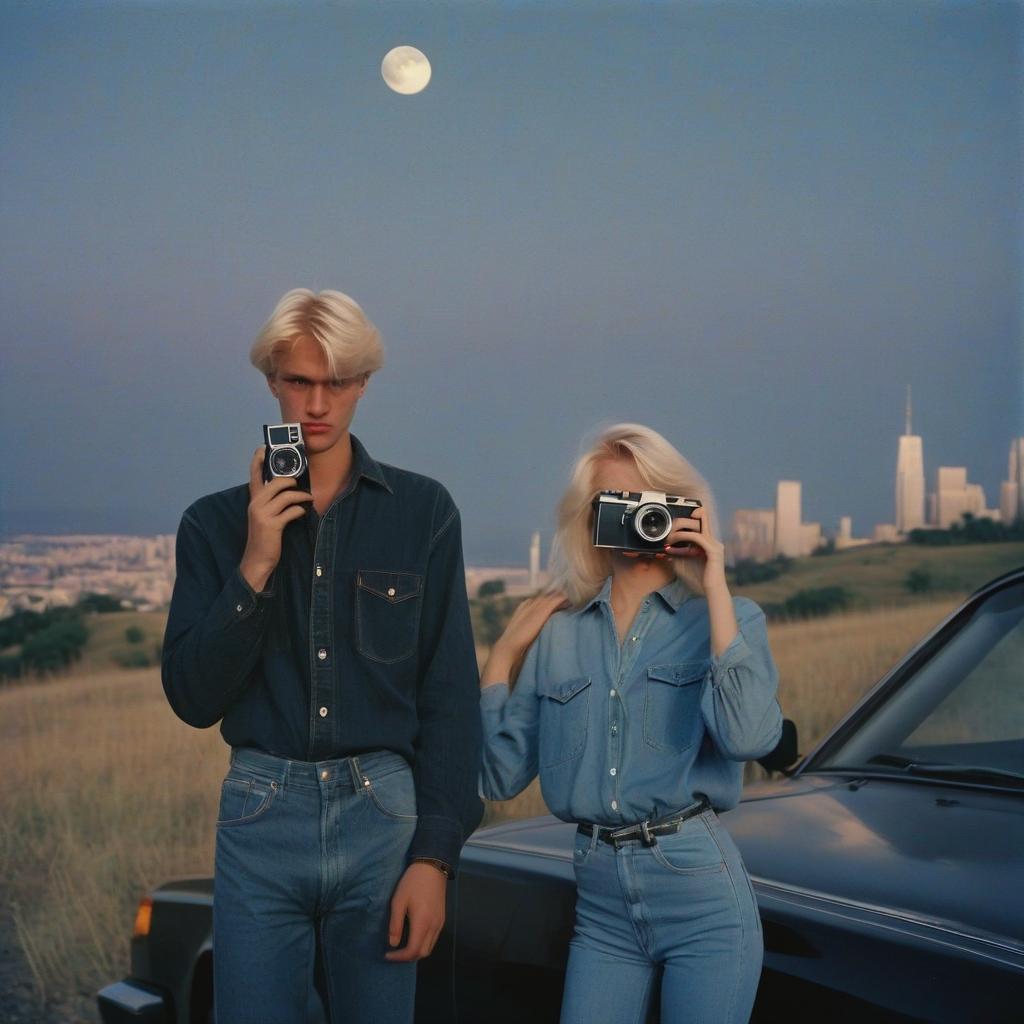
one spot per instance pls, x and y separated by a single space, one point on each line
577 568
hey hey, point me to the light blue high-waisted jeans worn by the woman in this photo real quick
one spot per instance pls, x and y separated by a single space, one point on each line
685 905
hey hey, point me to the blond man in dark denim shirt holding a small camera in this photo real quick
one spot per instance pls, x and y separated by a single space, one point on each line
328 632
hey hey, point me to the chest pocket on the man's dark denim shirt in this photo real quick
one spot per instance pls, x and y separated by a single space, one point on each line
388 614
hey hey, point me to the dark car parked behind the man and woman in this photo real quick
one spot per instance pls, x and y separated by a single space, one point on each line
887 866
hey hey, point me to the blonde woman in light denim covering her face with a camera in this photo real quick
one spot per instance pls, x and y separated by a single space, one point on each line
645 687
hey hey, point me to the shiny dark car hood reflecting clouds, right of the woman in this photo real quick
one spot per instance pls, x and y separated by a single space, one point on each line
934 852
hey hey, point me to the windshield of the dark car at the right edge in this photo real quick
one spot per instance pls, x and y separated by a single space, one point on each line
961 715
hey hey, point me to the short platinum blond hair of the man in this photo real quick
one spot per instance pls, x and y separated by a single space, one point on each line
351 344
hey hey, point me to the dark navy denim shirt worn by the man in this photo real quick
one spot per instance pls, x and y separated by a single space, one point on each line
361 642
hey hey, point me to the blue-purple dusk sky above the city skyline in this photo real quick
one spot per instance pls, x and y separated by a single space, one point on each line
748 226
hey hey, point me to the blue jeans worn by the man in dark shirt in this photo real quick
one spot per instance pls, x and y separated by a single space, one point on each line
307 848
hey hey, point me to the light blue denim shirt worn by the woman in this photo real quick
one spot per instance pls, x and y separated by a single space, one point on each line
623 734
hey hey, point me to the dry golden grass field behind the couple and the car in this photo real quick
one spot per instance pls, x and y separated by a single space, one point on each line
108 794
